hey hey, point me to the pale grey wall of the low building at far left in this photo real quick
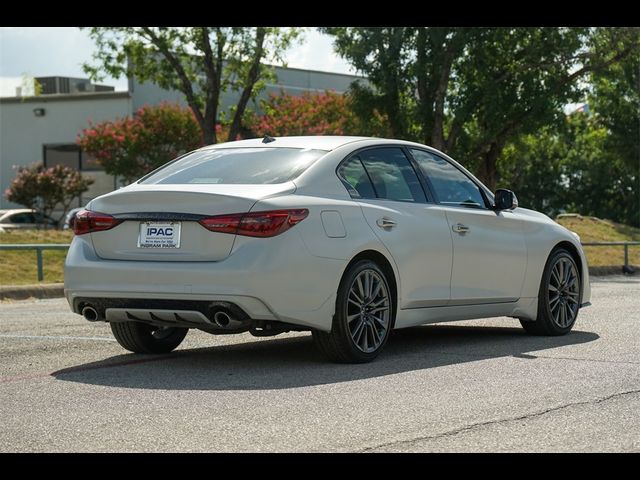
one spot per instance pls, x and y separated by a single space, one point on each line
22 134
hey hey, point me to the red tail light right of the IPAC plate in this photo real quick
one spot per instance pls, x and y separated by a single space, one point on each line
256 224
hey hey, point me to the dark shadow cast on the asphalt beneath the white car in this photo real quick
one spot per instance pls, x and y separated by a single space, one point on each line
280 363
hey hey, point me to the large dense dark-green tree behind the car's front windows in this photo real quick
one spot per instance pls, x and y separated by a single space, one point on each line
470 91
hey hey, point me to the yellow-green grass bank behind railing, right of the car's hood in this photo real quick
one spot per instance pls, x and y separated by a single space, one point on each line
593 229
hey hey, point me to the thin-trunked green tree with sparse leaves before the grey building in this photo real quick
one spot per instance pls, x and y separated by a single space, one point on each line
200 62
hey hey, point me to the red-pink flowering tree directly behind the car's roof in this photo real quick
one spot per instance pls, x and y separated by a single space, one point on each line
326 113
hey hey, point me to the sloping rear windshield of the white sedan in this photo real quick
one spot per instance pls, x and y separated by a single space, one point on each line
237 166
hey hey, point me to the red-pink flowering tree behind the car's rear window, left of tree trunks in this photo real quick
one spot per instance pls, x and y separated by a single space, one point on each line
132 147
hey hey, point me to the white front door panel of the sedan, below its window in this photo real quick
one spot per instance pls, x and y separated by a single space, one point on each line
489 259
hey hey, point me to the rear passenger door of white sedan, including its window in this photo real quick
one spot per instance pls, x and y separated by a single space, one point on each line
416 233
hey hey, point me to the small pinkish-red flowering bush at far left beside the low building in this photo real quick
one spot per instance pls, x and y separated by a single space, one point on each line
45 189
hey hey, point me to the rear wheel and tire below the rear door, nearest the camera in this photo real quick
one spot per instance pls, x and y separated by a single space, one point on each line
361 326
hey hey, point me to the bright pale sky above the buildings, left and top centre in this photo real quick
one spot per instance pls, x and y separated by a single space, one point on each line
60 51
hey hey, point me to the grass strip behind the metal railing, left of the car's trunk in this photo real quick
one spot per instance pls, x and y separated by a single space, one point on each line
19 267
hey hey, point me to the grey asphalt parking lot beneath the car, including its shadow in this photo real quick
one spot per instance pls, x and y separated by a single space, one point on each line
482 385
